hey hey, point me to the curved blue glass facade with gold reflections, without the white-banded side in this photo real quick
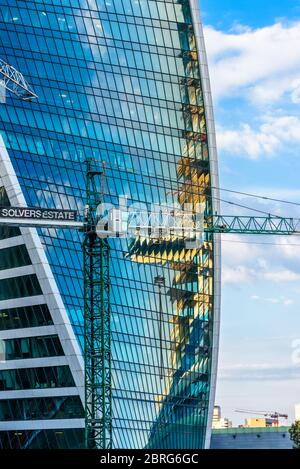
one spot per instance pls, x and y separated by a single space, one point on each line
121 82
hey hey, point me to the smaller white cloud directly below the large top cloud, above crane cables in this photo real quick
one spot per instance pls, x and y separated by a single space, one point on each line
268 139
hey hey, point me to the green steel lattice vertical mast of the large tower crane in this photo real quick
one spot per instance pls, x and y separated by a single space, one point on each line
97 349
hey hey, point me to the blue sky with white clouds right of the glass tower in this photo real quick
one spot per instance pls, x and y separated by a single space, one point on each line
254 59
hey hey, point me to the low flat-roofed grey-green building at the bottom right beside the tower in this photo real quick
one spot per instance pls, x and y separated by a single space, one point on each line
251 438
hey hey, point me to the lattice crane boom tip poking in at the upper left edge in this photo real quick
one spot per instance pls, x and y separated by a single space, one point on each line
14 81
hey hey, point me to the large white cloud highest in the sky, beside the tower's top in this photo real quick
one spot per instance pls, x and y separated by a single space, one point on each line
262 64
